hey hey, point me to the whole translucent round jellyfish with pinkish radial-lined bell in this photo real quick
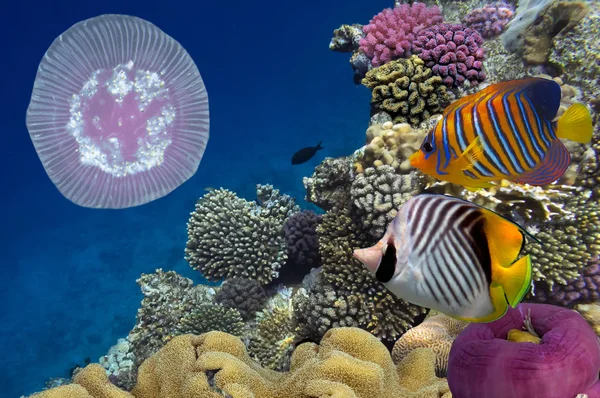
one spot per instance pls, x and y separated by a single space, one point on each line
118 114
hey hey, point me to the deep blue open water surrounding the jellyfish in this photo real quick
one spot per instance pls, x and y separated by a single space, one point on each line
68 275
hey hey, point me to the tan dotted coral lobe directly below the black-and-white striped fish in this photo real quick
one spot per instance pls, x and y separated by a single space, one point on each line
436 333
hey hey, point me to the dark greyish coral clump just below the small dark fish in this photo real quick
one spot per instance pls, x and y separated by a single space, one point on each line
329 185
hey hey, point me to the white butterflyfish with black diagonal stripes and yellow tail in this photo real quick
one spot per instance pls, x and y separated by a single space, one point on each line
453 256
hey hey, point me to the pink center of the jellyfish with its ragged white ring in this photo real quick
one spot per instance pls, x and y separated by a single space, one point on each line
121 120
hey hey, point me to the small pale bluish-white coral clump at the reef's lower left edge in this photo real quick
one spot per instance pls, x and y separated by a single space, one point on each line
119 363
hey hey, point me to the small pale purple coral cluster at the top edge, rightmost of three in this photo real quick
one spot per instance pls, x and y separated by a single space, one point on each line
491 19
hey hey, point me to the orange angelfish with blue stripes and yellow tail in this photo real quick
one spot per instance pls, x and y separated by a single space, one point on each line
504 132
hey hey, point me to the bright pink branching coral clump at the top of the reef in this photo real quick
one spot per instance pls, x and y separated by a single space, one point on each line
389 35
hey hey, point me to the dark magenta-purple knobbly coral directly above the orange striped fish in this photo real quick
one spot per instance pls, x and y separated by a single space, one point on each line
453 52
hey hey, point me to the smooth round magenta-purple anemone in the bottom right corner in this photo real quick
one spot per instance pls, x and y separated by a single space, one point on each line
565 364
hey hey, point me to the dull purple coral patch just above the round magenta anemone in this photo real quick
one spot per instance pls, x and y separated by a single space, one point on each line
585 289
